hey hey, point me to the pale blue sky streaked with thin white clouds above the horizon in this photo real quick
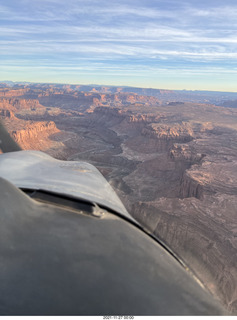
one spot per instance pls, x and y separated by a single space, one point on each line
185 44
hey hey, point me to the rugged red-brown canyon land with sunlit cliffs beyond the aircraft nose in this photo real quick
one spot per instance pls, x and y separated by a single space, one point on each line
173 165
